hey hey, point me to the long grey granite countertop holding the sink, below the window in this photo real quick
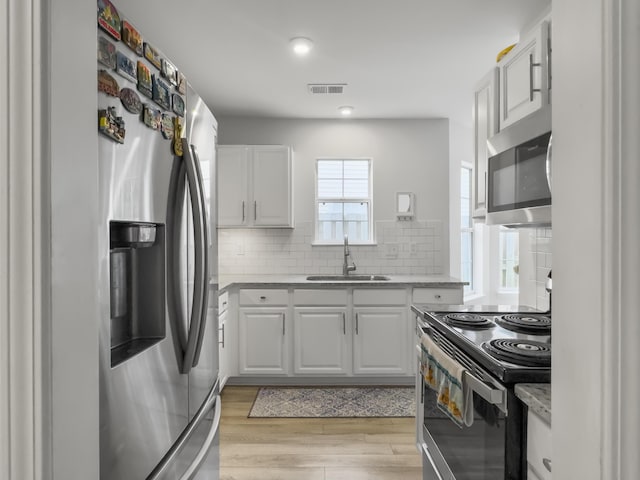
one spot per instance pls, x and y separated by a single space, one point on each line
266 281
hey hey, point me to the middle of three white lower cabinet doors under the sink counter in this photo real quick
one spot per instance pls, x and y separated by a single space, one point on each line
320 340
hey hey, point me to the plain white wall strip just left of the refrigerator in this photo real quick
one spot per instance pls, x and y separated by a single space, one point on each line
73 251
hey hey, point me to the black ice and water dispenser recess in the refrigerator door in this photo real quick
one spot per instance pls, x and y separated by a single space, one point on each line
137 287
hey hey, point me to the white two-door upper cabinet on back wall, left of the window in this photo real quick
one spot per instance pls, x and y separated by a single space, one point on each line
255 186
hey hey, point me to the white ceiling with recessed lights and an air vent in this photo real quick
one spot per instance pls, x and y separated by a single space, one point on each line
400 58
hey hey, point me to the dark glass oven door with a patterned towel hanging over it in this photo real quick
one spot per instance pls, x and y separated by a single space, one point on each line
477 452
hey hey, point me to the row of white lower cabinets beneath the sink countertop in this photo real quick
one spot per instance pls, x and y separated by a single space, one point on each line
348 331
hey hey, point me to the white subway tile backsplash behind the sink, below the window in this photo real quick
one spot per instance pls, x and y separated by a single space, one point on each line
402 248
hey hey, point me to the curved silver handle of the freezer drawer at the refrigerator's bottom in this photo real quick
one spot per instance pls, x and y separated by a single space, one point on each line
213 401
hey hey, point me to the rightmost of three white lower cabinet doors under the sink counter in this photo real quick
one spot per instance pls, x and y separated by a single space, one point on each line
381 341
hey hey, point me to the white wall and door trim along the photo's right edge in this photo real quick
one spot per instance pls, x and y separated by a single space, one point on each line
596 119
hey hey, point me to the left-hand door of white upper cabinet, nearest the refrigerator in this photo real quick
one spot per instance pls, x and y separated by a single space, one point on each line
233 186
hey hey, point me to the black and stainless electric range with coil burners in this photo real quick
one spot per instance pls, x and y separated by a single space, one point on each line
499 346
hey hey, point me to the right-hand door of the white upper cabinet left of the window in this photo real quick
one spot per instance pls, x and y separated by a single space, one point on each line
271 171
